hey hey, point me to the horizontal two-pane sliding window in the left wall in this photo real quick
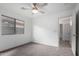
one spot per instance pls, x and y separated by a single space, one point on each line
11 26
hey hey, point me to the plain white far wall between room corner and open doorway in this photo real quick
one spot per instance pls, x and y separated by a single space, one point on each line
46 28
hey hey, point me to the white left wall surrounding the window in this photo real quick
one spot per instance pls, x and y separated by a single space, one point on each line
10 41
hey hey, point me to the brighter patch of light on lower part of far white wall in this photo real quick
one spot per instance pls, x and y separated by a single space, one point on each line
45 36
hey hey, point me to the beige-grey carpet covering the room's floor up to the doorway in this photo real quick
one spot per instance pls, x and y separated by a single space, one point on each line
34 49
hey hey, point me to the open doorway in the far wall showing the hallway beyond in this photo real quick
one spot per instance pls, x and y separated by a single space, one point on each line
65 29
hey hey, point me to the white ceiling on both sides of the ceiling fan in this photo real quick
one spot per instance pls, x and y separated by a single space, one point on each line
50 8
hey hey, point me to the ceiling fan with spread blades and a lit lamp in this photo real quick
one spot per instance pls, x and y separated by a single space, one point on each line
36 8
